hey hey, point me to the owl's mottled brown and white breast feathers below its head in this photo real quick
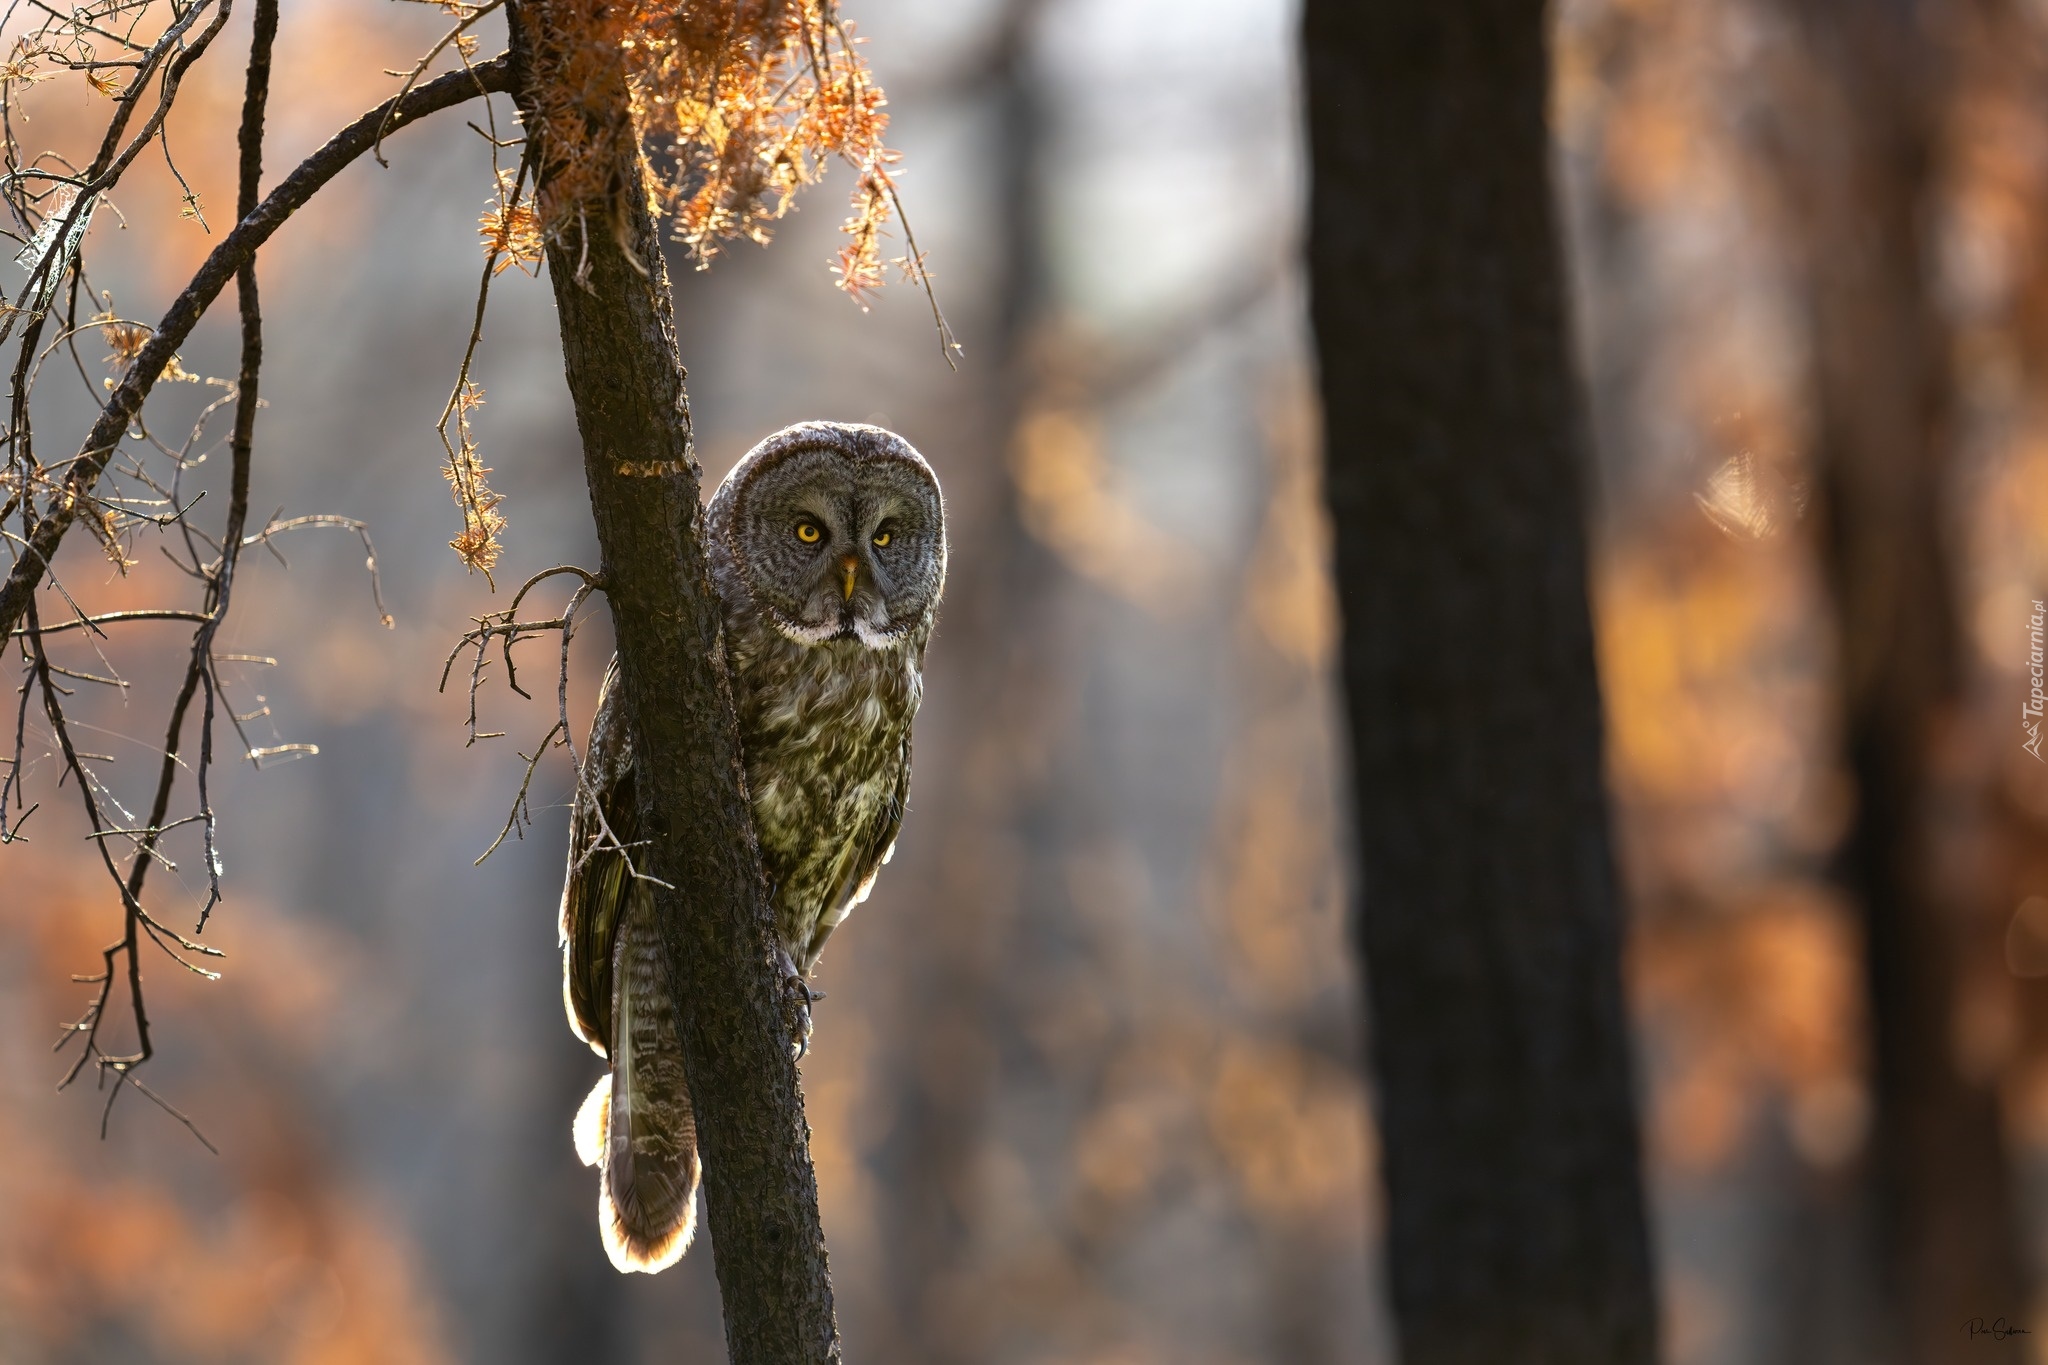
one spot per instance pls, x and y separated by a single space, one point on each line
826 734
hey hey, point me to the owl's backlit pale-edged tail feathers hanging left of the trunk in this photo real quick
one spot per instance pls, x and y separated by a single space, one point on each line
640 1133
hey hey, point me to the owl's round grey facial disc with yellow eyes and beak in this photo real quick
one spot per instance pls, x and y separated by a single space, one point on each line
843 549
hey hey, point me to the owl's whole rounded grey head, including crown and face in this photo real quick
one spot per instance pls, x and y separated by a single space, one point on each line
837 531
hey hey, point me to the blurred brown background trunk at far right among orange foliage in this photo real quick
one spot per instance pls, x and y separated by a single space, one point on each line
1885 402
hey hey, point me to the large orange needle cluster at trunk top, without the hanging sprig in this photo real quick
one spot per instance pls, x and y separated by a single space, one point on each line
730 105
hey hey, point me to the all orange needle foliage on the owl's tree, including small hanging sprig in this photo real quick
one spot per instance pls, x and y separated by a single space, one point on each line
728 112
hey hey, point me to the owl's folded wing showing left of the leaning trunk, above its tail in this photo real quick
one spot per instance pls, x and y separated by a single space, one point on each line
595 893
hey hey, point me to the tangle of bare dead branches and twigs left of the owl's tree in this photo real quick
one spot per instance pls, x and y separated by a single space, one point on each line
52 204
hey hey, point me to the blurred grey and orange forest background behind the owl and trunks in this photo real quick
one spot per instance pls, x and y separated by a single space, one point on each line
1086 1088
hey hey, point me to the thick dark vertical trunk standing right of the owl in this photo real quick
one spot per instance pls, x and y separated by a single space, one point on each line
1455 459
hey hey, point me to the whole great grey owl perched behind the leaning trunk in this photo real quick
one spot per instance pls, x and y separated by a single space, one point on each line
828 552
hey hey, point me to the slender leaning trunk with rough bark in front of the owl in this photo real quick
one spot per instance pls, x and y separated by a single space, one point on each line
628 384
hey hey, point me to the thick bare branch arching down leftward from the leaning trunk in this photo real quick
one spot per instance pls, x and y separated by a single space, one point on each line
226 261
